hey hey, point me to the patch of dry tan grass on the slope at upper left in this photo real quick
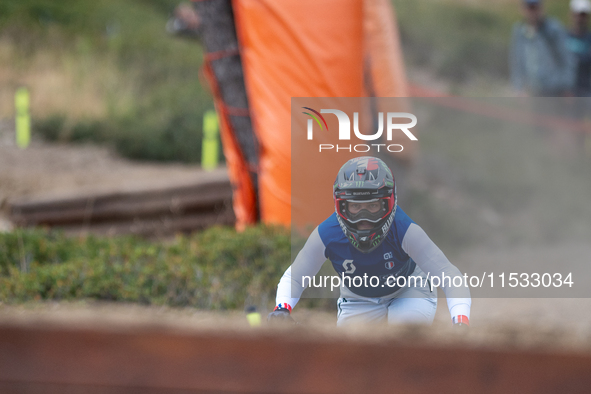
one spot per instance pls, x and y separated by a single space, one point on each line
63 83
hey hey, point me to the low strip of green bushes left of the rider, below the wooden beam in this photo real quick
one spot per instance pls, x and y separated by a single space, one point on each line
216 269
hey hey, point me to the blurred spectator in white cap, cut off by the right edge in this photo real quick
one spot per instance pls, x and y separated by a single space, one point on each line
579 43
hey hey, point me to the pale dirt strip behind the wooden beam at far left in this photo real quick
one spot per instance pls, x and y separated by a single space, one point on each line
58 169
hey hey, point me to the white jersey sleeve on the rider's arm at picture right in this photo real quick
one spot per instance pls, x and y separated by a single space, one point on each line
432 261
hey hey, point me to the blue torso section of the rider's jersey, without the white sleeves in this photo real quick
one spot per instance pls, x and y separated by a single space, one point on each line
386 262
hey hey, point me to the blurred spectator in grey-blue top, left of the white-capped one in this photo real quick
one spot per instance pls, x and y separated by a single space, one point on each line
540 62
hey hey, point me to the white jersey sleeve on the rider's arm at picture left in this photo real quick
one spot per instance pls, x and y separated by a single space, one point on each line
307 263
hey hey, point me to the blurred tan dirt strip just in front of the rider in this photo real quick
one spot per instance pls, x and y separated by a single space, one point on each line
492 327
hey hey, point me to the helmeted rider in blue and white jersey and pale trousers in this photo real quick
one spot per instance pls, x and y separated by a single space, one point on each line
369 235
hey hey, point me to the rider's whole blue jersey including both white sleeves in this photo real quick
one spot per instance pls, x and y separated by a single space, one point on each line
405 247
